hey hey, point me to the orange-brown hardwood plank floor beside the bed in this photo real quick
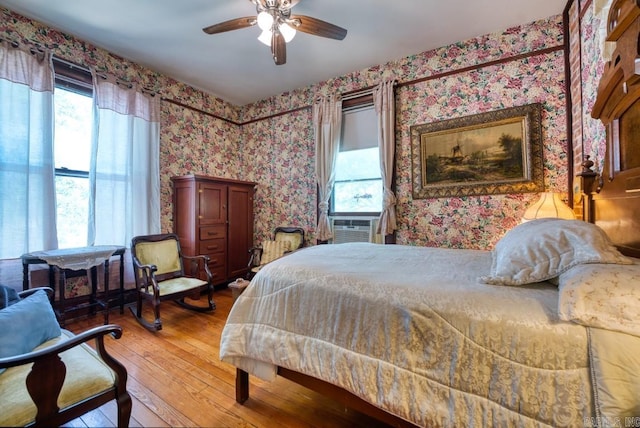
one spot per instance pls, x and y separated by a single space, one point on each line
177 379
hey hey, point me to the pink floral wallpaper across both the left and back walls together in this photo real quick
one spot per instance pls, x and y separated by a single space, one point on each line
271 141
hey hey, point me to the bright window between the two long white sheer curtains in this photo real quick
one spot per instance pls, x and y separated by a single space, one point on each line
73 103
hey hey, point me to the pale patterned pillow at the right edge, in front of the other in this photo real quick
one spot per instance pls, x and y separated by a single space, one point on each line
602 295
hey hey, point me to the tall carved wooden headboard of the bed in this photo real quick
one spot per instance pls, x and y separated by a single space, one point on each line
614 195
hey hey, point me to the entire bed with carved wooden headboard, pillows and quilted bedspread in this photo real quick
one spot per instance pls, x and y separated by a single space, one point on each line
543 330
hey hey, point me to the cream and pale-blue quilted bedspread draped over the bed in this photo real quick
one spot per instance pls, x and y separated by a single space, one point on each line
413 331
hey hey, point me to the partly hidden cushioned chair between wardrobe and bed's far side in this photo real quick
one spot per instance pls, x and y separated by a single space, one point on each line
285 240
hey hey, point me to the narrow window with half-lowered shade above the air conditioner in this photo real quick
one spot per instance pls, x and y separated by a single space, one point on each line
358 183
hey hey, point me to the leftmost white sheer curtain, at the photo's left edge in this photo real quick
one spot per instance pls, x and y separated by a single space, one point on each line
27 173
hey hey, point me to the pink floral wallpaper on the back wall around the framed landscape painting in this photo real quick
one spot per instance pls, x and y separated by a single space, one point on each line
470 222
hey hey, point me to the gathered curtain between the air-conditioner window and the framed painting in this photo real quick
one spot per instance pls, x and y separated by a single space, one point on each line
384 104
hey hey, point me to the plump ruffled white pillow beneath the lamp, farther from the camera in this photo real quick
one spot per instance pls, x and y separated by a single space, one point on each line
542 249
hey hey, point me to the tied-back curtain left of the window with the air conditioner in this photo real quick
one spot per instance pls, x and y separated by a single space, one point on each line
327 124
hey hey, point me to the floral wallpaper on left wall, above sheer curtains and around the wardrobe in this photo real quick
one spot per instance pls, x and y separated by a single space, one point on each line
190 141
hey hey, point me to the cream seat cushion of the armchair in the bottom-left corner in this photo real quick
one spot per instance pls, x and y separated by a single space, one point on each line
87 376
